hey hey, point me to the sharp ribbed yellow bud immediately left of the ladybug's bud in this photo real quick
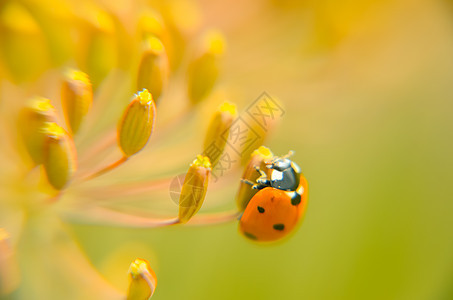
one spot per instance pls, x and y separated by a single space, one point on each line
194 188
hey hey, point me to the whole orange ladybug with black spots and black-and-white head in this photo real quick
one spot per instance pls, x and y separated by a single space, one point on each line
276 209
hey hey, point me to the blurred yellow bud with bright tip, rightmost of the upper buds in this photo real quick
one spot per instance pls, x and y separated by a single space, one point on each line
204 70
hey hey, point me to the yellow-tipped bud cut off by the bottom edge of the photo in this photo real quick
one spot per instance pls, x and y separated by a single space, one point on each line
143 280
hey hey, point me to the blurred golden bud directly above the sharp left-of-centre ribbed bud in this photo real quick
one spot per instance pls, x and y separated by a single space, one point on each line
153 68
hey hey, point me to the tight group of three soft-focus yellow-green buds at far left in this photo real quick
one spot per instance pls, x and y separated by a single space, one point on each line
46 141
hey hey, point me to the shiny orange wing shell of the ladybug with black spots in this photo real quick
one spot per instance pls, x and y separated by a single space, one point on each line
270 216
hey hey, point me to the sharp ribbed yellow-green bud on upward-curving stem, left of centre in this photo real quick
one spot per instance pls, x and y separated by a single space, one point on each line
137 123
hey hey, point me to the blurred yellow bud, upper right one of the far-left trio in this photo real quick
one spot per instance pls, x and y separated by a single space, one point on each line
76 98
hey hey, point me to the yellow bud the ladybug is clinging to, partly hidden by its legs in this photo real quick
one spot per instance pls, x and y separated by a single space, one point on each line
257 159
